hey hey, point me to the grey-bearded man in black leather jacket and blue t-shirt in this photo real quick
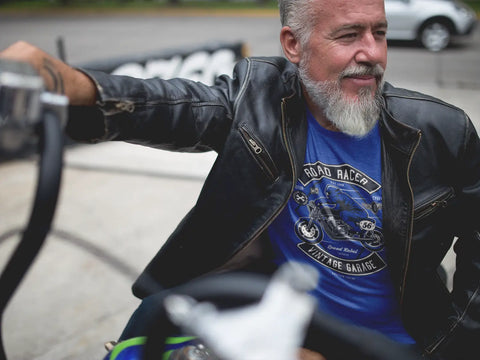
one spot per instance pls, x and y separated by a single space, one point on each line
316 126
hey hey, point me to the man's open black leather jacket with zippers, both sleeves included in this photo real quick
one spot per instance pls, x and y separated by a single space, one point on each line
256 123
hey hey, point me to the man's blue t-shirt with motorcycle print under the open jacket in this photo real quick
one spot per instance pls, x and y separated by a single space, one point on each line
333 221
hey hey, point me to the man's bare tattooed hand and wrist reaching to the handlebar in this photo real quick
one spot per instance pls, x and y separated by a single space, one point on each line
58 76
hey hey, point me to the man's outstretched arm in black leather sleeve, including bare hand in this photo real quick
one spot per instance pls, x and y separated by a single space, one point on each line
175 114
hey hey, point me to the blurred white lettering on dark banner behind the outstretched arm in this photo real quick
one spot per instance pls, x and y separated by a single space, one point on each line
199 66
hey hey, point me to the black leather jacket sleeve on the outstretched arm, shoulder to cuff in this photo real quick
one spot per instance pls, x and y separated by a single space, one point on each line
176 114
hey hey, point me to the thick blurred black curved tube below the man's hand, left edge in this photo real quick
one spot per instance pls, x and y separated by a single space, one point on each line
41 216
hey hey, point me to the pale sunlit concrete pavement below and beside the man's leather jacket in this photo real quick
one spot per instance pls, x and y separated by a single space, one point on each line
118 203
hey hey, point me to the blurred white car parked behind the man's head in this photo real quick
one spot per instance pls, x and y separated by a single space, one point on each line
432 22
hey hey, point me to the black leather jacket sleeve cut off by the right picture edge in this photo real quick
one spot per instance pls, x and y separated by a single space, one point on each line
463 342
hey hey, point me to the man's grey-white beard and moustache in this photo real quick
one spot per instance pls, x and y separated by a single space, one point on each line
356 118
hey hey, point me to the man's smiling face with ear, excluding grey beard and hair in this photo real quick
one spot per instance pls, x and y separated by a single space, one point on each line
347 33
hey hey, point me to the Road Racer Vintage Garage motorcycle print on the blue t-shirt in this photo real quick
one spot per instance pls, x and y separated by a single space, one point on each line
339 222
